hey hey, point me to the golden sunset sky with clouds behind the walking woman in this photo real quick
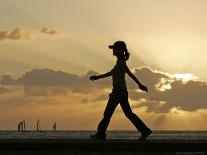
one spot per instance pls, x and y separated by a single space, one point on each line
48 50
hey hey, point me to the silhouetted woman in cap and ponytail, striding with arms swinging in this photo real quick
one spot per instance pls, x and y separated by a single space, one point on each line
119 93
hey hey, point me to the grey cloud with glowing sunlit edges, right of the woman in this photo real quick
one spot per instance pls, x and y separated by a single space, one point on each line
187 95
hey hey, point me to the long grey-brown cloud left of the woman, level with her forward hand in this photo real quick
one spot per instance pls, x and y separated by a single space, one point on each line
50 82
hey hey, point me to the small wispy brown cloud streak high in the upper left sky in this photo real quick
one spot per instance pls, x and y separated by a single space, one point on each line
27 34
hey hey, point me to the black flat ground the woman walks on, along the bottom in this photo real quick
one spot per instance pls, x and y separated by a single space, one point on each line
111 146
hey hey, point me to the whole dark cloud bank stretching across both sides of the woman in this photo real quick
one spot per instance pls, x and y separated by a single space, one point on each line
189 96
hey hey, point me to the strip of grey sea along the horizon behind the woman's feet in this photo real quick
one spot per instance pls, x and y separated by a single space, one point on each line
156 135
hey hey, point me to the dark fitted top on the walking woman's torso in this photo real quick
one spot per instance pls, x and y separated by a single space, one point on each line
118 74
